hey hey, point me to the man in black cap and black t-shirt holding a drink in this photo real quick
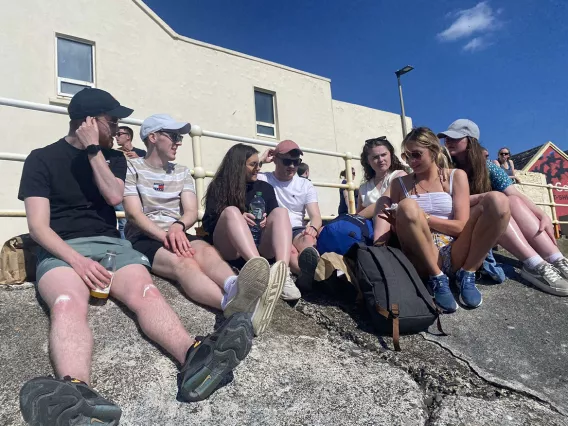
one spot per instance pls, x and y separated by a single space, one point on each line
69 189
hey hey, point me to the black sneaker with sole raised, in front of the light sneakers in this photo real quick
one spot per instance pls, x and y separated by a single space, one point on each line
211 358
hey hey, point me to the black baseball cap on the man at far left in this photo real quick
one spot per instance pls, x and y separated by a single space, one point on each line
91 102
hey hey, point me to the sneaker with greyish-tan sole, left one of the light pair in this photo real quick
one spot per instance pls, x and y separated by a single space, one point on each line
251 284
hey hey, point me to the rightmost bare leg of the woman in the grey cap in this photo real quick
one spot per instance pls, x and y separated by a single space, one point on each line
529 224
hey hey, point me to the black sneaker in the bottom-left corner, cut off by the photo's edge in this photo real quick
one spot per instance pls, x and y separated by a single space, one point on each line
50 401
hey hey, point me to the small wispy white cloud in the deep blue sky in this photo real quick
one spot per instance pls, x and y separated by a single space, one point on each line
480 18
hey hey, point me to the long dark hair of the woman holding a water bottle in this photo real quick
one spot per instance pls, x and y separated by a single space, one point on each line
228 187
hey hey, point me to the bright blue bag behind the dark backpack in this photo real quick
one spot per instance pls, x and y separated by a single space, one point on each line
344 231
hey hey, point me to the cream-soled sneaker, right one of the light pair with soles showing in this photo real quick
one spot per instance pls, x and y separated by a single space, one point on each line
267 302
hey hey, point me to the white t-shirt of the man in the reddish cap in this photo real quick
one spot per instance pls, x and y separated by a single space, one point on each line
294 195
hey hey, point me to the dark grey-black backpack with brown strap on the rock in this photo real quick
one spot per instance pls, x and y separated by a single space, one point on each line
393 293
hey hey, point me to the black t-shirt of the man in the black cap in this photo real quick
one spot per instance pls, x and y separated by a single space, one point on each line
63 174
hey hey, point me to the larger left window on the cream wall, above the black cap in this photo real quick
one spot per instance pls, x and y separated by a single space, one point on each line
75 66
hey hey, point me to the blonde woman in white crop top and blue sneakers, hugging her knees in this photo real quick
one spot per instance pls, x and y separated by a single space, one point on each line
433 223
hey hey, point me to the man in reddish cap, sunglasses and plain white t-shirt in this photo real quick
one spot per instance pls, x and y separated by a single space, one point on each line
298 196
